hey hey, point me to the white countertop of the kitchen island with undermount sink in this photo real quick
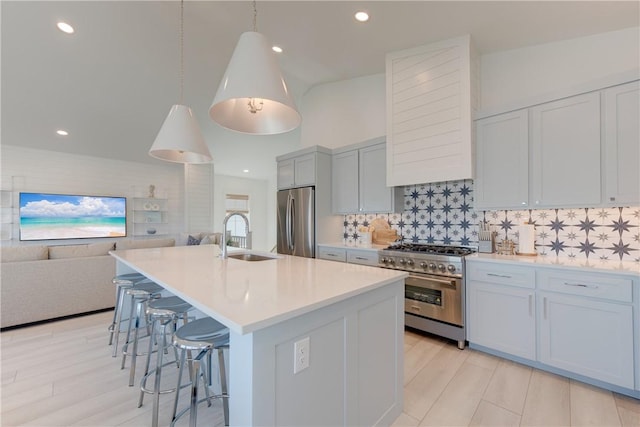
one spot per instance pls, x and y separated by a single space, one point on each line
250 295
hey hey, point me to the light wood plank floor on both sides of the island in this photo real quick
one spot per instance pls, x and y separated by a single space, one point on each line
62 374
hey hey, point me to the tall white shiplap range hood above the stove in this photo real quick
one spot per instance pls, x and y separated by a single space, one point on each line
431 96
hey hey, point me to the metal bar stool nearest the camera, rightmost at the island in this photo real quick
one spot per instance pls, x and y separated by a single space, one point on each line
202 336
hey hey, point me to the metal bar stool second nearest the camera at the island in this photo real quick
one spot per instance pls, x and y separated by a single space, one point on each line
162 312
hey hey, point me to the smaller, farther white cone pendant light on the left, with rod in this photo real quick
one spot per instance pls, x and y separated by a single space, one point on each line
180 139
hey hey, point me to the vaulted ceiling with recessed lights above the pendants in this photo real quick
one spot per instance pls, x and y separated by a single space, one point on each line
112 82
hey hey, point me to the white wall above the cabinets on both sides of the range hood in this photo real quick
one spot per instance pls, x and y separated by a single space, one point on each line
349 111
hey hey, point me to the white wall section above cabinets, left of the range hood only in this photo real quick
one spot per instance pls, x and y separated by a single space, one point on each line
344 112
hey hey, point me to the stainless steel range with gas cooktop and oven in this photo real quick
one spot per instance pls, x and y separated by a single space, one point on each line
434 290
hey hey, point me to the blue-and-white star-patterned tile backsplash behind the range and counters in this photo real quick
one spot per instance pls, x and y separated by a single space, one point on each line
442 213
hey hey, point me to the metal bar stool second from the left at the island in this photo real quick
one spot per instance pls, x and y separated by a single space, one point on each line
140 294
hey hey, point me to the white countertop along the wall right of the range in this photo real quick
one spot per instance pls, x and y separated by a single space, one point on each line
618 267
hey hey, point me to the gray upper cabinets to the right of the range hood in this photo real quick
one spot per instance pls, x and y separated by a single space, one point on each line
578 151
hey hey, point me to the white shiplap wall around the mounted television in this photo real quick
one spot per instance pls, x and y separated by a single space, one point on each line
51 172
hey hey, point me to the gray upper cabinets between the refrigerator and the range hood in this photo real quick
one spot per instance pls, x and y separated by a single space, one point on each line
359 181
